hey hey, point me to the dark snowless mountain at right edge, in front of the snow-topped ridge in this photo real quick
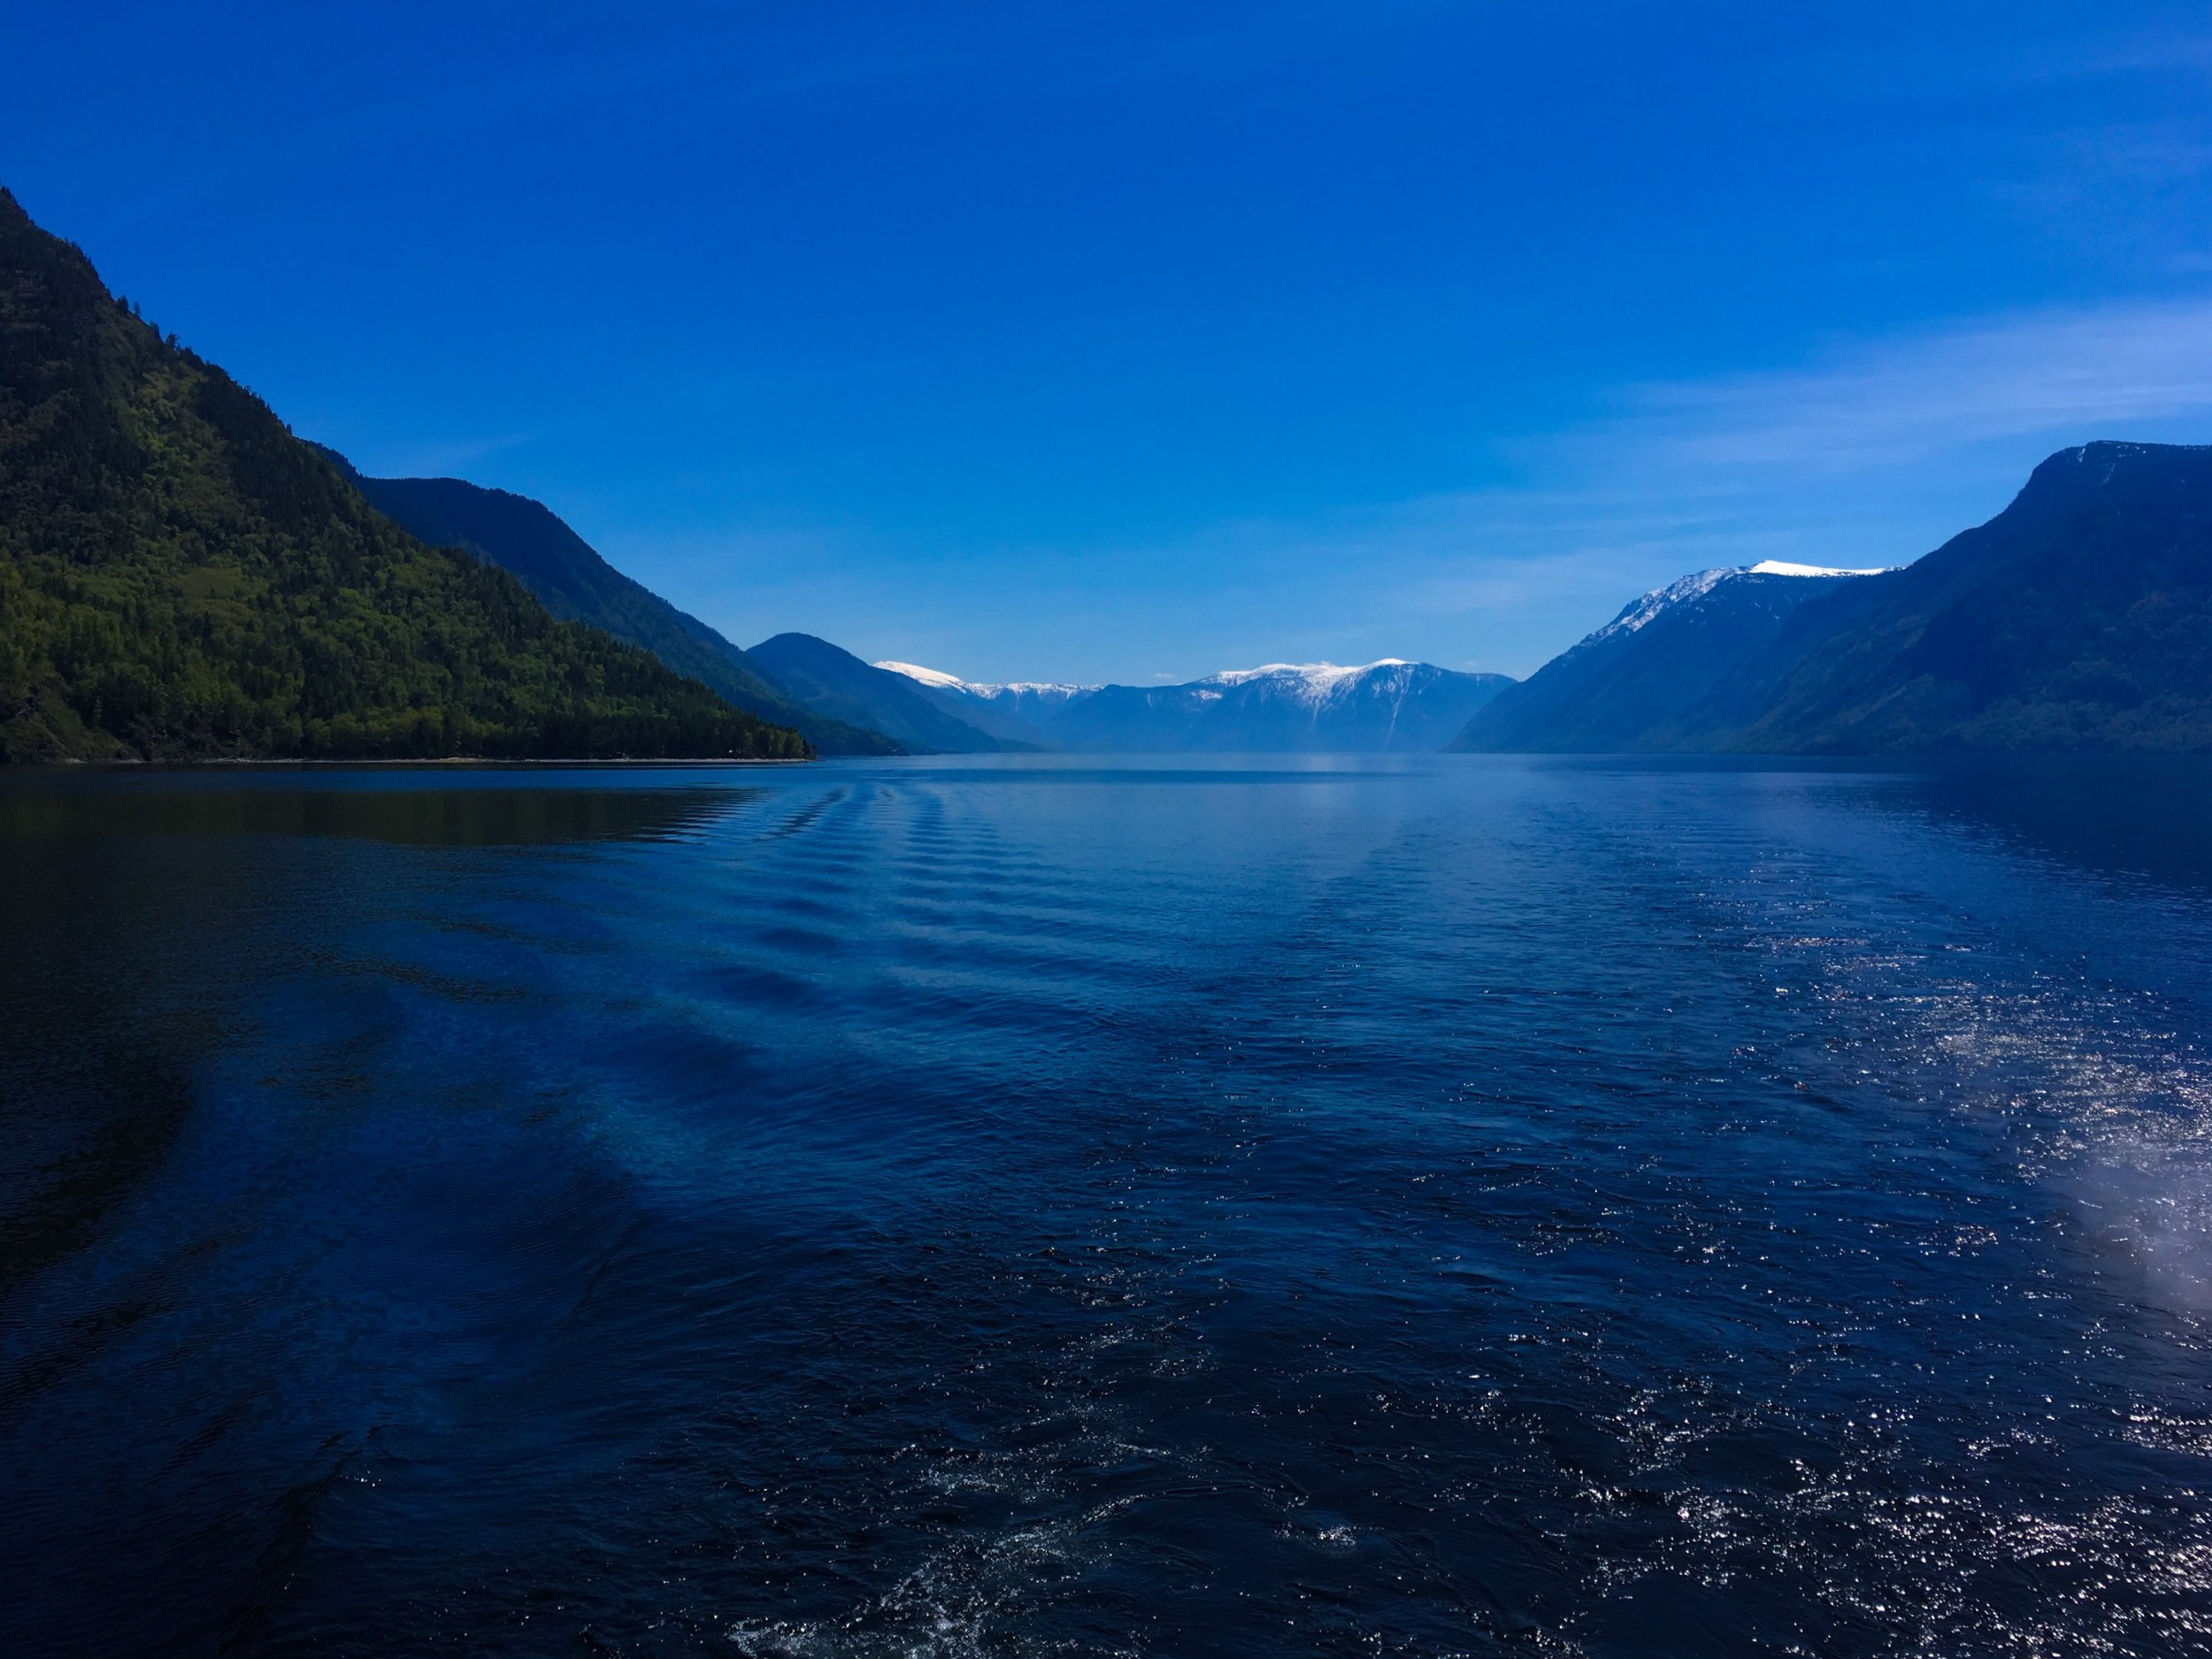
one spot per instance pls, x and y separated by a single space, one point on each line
2080 618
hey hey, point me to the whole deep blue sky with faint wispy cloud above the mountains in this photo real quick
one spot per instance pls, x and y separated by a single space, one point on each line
1134 342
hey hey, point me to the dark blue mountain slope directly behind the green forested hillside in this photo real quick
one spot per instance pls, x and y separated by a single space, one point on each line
576 585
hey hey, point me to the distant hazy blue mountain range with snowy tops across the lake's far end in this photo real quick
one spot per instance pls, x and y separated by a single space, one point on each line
1401 707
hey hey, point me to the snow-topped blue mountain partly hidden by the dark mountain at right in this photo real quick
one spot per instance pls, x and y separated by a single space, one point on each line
1649 676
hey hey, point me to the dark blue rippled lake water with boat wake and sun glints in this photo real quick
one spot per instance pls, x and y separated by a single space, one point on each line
1058 1209
